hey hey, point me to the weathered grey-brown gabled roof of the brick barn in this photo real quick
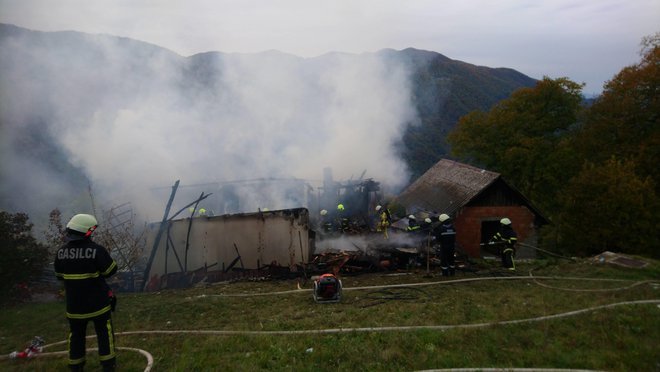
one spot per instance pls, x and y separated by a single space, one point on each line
449 185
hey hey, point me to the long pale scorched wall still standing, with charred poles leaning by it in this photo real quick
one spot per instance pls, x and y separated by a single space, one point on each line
193 249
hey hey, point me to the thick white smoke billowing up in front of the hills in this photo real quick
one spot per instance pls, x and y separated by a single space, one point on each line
129 116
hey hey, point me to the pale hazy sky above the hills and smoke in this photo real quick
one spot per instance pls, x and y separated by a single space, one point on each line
585 40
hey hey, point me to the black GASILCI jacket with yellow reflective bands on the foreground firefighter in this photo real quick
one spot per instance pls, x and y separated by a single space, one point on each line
83 266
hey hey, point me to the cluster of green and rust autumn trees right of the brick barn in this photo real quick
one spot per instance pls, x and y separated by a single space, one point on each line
592 169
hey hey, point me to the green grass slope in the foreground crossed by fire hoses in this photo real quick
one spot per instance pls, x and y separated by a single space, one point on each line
622 338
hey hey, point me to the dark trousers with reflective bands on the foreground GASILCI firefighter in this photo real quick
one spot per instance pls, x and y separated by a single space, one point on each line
104 334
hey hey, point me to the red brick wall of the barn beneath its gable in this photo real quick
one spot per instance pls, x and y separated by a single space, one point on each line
468 225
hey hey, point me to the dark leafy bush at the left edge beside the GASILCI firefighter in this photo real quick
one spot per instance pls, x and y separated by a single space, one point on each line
23 257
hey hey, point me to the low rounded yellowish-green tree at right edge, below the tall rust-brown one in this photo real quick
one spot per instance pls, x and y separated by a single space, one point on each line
609 207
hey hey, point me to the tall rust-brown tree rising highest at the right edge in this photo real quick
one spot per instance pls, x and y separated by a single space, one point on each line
625 120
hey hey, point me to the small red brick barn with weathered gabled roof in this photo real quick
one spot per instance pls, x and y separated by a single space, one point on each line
476 199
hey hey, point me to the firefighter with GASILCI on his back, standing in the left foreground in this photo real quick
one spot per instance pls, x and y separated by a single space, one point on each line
83 266
